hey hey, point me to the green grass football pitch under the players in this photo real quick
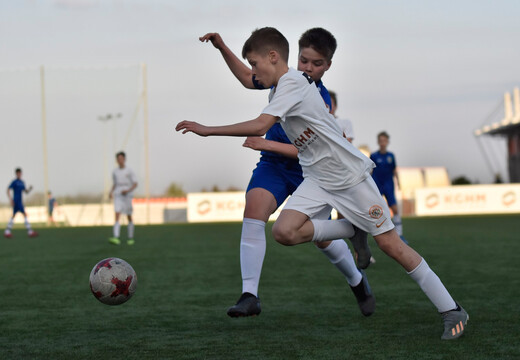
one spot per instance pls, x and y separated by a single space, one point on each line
189 274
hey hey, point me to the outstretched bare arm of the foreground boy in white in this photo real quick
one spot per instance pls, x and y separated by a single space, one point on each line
256 127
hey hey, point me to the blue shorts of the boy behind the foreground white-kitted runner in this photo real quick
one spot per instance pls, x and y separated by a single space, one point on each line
279 178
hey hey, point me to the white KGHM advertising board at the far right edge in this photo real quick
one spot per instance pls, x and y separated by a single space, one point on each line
468 199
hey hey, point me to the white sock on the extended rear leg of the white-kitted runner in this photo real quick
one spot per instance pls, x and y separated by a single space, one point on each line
432 287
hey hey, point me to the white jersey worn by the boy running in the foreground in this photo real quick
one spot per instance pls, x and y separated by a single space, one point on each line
325 155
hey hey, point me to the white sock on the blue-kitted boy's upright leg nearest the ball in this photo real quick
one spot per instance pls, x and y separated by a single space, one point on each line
252 252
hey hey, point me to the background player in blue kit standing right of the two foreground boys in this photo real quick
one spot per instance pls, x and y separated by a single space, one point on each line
384 174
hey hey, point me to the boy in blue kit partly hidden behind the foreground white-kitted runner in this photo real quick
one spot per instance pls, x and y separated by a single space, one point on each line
278 174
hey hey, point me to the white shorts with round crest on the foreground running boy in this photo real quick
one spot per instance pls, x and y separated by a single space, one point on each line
361 204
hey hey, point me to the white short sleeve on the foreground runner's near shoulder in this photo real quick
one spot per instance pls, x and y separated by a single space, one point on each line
287 95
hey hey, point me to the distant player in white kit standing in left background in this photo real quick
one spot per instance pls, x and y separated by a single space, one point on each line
124 183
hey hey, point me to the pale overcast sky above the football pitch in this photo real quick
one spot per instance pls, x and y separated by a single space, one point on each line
429 73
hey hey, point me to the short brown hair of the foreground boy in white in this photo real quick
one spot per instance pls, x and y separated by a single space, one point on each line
266 39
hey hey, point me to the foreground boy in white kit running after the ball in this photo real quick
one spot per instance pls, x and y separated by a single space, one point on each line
336 174
